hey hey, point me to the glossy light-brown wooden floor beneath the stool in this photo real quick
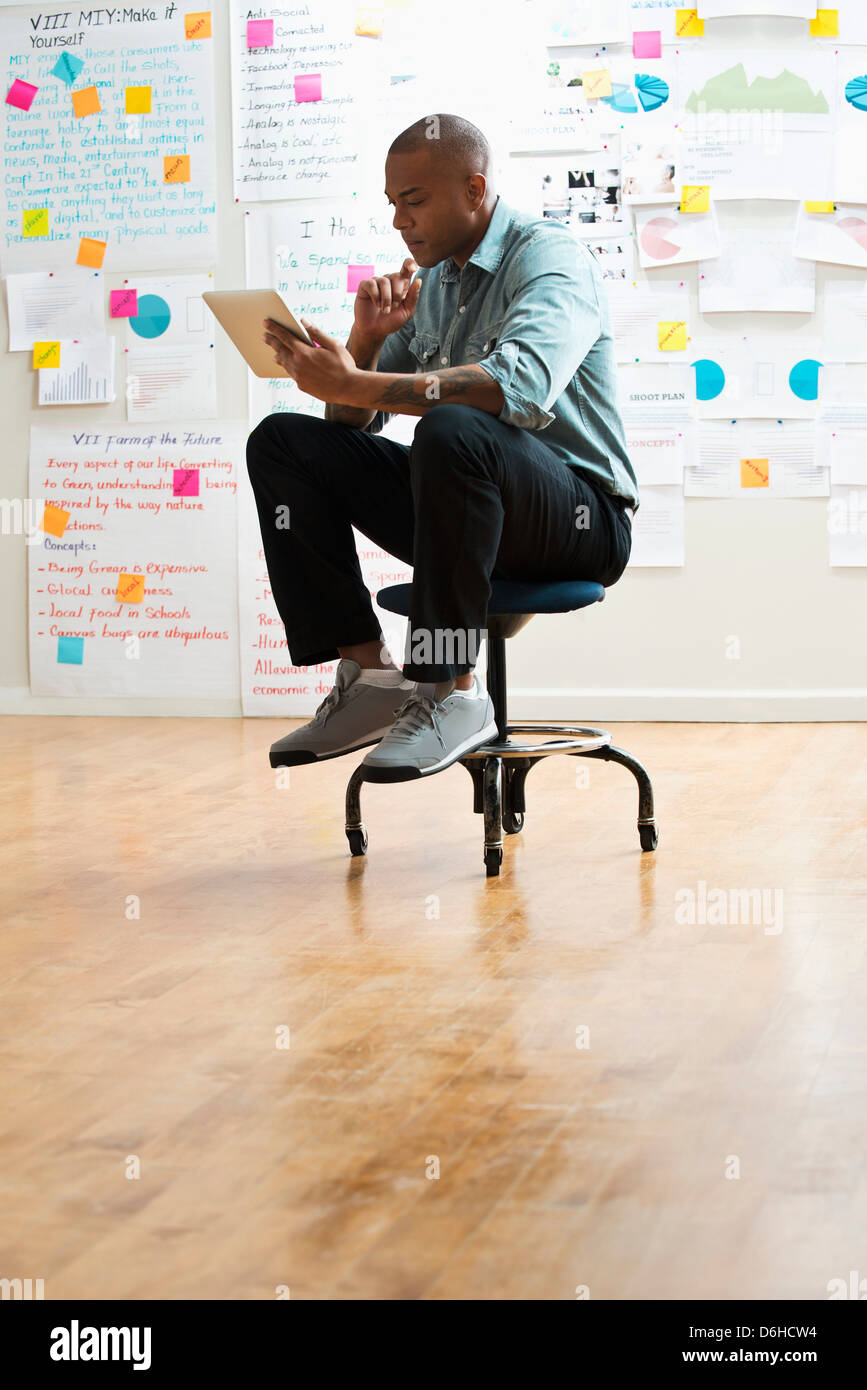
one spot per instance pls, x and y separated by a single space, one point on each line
433 1020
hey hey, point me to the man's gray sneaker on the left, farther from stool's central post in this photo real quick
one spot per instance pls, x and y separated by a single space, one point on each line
351 717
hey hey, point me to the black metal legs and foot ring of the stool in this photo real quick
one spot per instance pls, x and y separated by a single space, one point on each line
499 771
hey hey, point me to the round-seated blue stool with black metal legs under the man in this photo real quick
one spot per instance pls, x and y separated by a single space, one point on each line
499 769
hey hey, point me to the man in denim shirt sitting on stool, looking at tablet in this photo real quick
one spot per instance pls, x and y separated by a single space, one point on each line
519 466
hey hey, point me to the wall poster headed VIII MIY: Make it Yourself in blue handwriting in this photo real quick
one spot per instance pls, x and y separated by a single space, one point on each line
113 161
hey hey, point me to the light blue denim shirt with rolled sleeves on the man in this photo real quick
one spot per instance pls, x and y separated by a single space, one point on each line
530 306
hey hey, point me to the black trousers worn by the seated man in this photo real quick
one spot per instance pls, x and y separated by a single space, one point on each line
470 501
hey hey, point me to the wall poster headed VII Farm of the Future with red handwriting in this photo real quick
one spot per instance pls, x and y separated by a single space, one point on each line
130 590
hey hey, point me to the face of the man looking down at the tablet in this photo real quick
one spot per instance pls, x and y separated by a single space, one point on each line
436 211
